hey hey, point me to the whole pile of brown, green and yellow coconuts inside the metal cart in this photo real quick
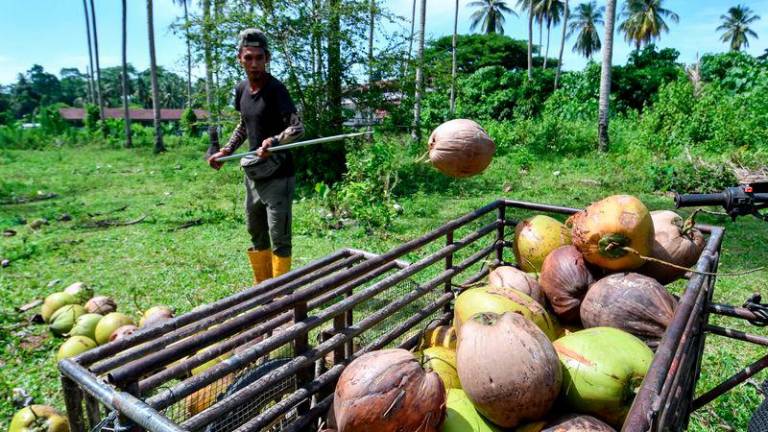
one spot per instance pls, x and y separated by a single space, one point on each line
559 342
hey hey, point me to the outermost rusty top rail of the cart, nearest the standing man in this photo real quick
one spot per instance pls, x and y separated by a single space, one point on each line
151 334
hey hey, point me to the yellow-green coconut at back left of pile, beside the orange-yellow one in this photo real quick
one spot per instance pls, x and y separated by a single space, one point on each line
535 238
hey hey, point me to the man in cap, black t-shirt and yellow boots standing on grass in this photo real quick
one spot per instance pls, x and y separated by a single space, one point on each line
268 118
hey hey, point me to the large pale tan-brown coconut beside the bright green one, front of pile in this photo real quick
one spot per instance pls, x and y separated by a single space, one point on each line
508 368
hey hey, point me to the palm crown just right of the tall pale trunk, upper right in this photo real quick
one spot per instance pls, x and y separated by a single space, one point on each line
644 21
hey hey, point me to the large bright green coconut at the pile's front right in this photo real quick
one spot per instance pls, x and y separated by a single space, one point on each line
603 368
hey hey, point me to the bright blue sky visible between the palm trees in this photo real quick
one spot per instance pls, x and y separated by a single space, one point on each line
52 32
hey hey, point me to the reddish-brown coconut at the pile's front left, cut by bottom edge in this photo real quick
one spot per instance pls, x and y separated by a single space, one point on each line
388 391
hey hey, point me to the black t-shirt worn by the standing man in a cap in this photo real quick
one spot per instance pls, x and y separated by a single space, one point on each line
265 115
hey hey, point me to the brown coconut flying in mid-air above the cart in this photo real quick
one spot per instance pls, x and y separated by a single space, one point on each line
460 148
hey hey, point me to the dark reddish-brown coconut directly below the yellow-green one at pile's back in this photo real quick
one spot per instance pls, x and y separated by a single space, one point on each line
565 278
